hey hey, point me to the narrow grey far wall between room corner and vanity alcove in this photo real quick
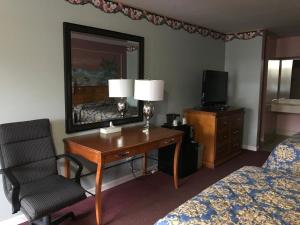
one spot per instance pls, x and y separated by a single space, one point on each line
243 61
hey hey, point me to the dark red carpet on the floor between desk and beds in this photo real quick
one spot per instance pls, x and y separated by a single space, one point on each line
144 200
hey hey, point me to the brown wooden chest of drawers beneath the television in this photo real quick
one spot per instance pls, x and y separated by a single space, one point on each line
220 132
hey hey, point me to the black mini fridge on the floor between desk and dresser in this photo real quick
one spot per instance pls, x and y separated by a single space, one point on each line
188 157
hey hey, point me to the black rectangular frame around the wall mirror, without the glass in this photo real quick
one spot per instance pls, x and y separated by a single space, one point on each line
68 28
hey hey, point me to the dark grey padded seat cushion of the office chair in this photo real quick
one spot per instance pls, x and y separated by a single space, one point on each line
45 196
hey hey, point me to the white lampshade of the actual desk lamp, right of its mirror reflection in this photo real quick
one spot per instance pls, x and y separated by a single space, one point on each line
149 90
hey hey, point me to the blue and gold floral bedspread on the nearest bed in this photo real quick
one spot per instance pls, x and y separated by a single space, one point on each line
250 195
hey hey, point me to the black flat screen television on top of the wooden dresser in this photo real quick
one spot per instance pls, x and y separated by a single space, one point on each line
214 88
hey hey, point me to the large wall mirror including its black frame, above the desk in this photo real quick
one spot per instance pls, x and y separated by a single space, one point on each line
92 57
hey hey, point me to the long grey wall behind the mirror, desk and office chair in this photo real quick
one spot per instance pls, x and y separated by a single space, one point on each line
32 65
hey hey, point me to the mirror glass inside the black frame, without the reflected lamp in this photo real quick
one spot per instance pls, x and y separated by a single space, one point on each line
95 59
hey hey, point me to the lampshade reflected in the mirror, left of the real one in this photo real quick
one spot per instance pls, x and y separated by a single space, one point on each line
120 88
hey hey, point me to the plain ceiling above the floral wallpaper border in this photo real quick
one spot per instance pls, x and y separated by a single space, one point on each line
279 16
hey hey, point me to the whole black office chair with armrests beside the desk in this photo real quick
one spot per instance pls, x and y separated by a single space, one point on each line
30 177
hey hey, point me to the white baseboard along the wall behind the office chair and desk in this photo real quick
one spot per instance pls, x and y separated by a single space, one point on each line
21 218
